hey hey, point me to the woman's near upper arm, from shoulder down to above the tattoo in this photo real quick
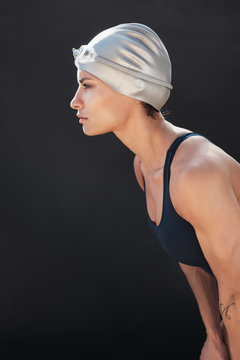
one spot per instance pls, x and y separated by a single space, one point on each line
210 205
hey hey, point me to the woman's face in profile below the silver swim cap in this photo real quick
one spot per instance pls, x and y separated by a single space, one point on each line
103 108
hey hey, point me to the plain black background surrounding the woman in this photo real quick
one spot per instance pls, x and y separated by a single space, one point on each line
81 276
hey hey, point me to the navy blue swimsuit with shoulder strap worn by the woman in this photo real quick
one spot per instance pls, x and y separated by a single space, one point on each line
176 235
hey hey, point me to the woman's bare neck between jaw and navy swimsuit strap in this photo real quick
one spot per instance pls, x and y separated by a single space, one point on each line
149 139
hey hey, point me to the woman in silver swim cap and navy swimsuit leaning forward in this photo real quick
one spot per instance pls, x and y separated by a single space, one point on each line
124 76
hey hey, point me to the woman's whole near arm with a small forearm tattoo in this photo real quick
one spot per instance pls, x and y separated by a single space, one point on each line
210 205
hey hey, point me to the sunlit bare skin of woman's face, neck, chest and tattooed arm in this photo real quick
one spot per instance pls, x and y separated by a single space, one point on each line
204 189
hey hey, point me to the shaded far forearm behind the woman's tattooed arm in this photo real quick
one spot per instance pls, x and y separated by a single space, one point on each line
204 288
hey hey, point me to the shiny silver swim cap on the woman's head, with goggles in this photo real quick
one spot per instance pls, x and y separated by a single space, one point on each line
132 60
